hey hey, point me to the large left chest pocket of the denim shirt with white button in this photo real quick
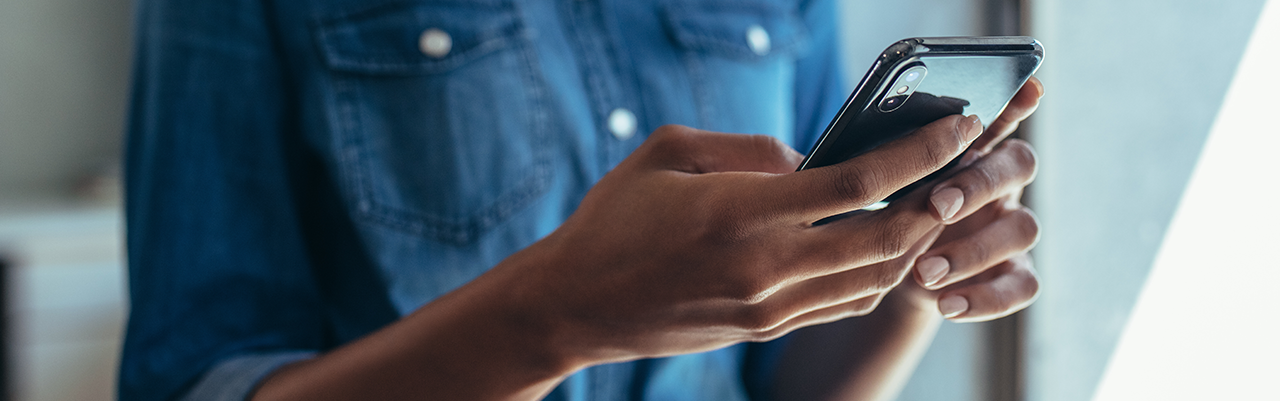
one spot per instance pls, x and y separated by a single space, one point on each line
438 119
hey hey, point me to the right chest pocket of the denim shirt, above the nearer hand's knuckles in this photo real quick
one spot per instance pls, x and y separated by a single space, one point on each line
742 61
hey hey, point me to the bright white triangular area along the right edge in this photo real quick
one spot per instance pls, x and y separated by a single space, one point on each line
1208 323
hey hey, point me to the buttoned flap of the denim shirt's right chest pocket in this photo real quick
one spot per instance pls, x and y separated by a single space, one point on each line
742 30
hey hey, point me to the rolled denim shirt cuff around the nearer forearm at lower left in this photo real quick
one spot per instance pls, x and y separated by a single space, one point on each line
235 379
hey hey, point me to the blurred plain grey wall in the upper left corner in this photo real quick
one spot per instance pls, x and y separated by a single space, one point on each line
63 84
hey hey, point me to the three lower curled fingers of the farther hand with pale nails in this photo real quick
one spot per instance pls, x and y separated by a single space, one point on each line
979 270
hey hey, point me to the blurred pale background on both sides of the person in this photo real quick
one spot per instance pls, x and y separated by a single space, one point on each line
1156 197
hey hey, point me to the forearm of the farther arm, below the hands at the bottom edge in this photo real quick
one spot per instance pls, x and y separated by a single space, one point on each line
868 358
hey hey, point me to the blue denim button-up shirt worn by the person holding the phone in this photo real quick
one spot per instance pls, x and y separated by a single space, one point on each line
303 174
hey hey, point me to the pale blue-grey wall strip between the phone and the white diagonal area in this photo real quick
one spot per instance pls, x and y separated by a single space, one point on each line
1132 90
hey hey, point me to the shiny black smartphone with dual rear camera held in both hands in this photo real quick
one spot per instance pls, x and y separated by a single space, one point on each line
918 81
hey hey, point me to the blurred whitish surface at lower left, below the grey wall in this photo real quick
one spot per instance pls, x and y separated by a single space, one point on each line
67 297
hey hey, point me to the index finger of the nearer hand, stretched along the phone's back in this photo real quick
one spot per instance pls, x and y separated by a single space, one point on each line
856 184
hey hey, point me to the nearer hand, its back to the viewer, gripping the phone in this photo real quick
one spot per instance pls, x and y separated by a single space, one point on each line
702 240
